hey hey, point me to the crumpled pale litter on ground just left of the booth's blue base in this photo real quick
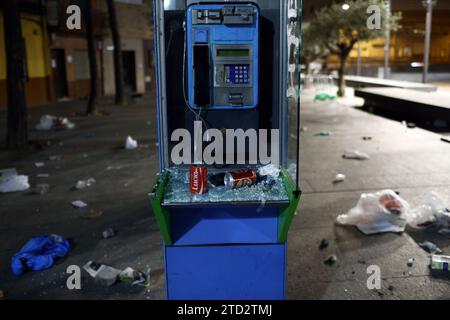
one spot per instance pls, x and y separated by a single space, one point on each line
108 276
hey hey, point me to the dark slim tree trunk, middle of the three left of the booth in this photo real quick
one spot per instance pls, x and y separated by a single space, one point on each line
92 106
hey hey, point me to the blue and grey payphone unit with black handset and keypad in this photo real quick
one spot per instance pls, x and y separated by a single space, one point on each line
222 43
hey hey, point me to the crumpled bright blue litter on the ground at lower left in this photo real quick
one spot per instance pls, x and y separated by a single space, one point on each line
39 253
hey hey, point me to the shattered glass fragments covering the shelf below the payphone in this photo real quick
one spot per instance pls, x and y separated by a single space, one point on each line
177 191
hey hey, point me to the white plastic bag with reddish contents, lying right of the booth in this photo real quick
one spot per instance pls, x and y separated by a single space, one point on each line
384 211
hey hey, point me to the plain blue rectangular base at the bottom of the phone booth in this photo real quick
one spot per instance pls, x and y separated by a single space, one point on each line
226 272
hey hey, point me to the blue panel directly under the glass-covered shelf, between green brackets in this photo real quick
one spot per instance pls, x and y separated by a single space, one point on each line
224 225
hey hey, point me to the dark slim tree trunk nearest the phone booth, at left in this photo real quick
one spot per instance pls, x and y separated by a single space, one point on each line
118 63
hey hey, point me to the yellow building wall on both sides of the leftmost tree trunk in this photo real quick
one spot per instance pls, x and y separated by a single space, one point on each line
35 50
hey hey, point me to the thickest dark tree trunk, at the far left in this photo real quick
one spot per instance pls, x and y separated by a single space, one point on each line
17 132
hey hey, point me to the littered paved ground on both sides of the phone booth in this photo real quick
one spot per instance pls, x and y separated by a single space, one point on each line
410 161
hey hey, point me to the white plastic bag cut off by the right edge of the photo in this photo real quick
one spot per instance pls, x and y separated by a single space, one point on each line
432 213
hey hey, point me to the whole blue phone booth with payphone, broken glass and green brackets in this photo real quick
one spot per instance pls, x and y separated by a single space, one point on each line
228 119
